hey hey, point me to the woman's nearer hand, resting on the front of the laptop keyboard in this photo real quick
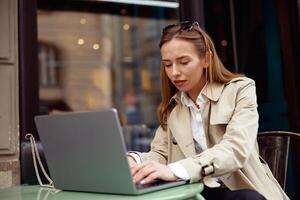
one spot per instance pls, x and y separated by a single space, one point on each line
148 171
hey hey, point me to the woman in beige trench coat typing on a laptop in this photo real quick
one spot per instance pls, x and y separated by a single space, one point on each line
208 123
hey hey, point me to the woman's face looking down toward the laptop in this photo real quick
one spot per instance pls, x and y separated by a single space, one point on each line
183 66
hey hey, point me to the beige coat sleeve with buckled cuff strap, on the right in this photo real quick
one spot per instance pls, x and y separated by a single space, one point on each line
238 142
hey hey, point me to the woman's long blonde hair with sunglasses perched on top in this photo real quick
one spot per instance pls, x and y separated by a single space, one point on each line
215 72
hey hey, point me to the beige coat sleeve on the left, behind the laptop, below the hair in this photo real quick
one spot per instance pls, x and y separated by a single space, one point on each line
159 148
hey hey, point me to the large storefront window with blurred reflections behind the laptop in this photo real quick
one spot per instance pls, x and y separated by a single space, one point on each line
95 60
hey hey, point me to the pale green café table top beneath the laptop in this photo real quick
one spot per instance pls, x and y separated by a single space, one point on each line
25 192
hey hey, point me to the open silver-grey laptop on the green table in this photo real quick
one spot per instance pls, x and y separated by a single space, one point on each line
85 151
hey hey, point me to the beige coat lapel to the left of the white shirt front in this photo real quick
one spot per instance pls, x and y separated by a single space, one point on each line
180 126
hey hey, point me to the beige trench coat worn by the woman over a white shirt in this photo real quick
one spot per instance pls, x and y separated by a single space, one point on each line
231 124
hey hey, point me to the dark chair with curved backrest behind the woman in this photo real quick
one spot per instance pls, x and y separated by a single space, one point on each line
274 149
